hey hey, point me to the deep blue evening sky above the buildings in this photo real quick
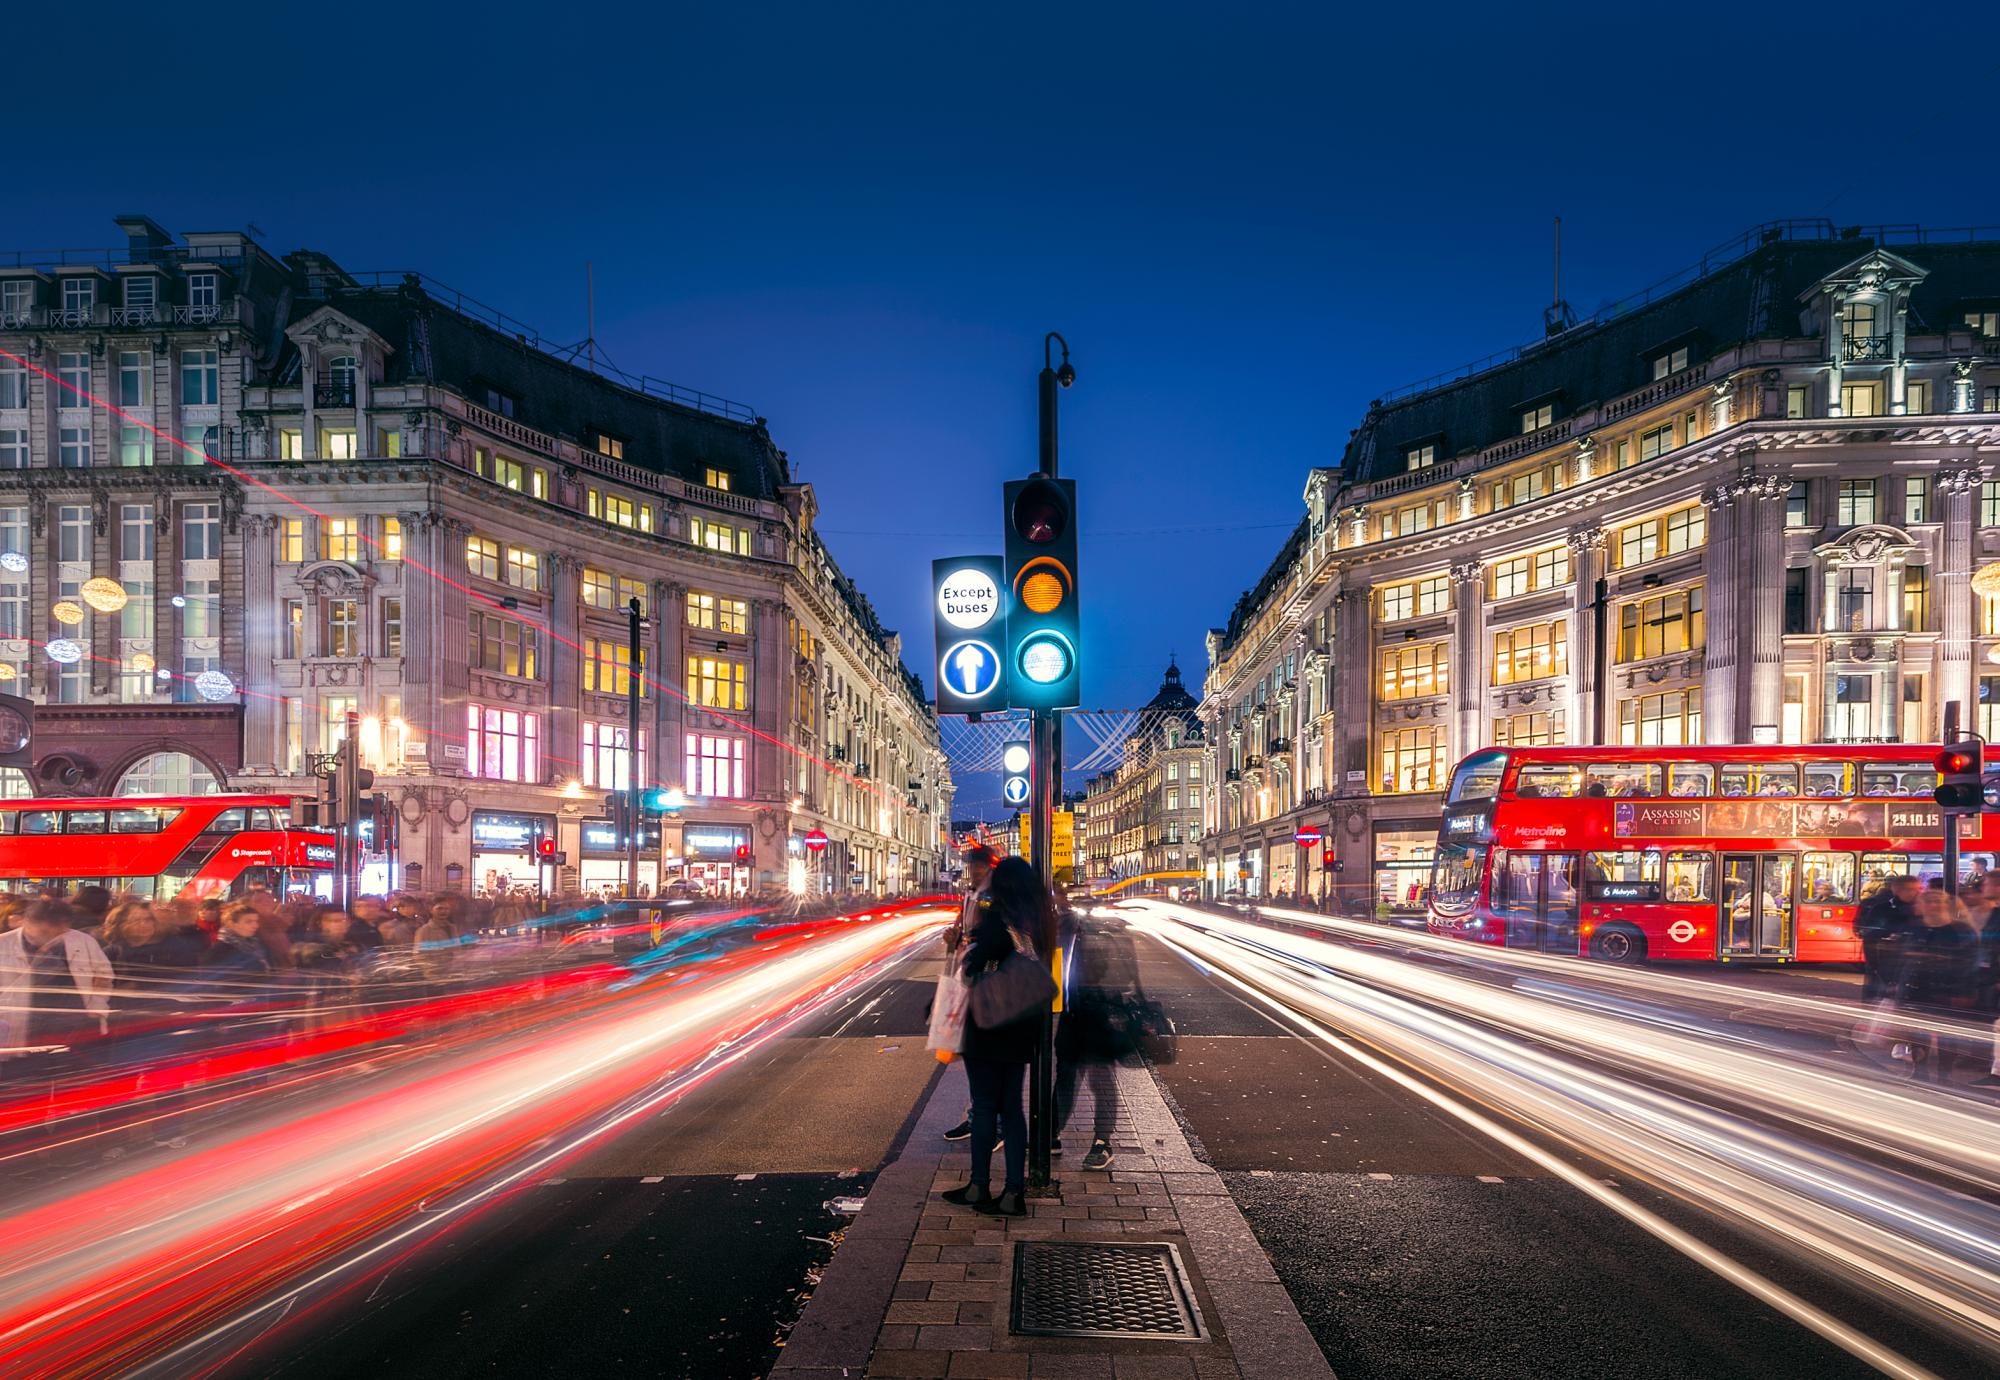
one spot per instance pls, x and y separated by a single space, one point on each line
863 219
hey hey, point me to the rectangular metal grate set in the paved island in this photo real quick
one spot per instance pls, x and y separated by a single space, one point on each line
1101 1289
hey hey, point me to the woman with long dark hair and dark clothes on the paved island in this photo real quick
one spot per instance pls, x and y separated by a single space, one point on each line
1015 917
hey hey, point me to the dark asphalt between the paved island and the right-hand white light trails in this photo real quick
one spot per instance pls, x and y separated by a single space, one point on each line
1417 1249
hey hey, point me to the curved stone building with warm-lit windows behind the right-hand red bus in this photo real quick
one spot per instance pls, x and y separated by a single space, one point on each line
1781 469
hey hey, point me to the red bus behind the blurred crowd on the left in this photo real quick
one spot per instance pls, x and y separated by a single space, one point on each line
163 845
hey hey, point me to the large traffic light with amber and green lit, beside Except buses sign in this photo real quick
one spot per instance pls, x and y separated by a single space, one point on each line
1043 627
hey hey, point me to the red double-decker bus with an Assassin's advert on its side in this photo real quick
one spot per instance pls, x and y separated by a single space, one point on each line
1721 855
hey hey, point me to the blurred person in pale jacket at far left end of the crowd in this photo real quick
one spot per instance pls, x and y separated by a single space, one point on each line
55 985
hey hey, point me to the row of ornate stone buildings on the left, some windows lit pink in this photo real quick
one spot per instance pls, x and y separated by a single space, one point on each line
433 521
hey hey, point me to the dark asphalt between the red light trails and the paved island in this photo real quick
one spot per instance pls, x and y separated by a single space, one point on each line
683 1249
